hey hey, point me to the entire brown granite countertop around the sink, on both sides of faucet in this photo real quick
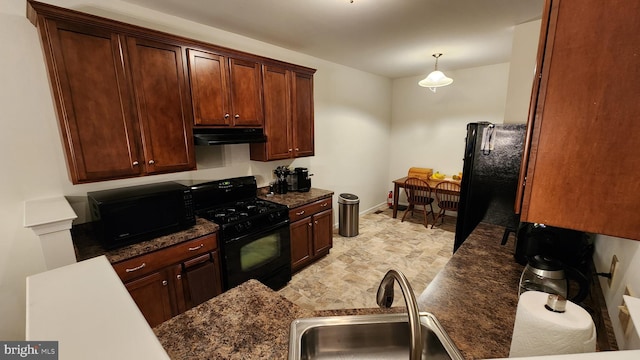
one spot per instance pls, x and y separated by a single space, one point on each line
474 297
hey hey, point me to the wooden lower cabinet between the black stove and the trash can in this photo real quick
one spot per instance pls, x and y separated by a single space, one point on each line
311 232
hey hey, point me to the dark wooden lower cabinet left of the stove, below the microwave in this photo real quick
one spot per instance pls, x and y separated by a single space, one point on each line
170 281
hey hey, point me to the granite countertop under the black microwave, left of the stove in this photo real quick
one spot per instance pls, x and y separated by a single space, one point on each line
86 244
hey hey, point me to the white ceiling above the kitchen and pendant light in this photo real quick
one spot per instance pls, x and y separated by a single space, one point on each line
392 38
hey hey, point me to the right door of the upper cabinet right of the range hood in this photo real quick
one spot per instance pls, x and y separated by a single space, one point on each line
302 98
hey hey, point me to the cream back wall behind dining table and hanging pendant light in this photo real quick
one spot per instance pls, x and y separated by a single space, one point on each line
429 129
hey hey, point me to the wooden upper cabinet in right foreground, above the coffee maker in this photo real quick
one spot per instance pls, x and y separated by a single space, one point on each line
581 159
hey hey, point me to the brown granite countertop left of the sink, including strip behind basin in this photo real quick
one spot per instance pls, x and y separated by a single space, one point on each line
250 321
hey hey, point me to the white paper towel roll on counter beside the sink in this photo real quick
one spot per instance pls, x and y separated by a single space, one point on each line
538 331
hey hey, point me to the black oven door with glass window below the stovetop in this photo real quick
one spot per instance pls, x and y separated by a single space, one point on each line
264 255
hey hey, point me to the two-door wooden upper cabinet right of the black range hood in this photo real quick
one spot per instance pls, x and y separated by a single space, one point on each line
288 106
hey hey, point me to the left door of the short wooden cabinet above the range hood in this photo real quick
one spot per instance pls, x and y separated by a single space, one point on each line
209 88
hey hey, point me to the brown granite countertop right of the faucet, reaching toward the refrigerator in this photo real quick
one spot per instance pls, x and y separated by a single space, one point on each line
475 297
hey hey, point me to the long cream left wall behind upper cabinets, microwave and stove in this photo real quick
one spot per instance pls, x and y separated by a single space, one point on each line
352 122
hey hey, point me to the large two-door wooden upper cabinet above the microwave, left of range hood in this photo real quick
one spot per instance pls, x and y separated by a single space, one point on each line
122 100
